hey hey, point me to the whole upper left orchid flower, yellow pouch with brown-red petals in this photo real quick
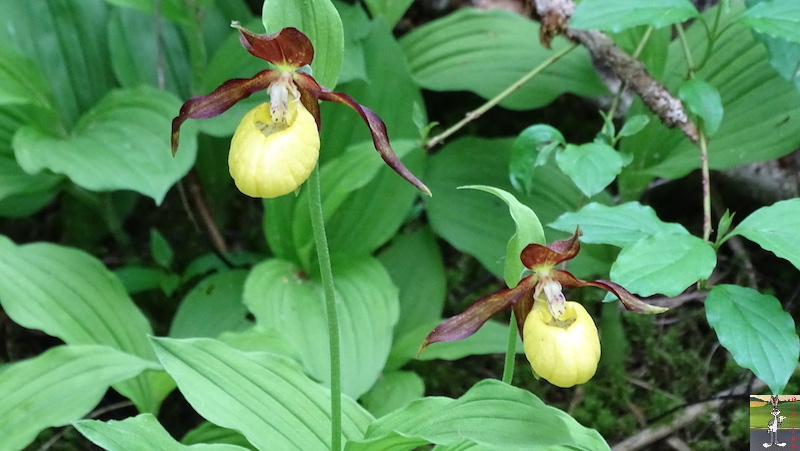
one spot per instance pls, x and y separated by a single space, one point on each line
276 146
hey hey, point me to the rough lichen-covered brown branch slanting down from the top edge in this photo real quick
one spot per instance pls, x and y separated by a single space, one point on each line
554 16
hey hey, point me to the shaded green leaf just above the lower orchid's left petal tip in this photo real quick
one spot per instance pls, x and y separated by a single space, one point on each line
415 265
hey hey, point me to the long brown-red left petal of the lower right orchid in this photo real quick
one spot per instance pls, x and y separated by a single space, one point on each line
470 320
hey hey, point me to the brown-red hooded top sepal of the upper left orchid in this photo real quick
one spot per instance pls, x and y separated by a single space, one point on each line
288 47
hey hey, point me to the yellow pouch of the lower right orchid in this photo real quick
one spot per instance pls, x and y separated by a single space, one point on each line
563 351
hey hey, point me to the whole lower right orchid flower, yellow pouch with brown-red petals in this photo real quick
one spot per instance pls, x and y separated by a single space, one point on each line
559 337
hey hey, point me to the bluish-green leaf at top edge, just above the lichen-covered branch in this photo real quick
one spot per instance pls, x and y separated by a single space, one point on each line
617 15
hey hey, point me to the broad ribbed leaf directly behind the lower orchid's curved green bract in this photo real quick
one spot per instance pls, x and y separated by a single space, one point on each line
478 224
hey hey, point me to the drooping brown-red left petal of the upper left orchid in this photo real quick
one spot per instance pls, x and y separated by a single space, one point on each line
220 100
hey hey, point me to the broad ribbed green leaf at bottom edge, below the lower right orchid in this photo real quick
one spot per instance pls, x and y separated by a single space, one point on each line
491 414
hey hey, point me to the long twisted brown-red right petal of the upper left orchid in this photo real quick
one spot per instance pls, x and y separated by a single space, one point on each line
377 128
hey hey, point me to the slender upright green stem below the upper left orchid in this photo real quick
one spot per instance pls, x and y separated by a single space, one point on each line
326 274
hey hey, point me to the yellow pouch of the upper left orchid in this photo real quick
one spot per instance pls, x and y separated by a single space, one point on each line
270 159
